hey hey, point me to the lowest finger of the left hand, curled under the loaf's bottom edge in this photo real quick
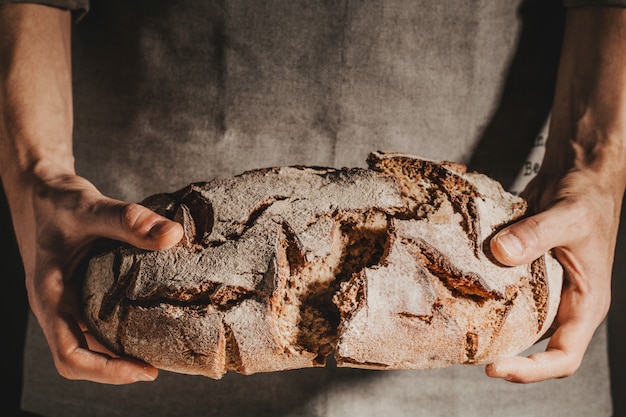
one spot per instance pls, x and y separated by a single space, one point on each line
74 361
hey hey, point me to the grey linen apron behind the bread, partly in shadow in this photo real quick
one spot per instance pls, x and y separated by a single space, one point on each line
171 92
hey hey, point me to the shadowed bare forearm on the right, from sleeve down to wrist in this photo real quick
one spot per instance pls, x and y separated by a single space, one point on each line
588 126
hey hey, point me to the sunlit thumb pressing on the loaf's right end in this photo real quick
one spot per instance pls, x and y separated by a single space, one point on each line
528 239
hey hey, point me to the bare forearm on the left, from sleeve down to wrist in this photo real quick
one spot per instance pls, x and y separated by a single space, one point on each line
35 94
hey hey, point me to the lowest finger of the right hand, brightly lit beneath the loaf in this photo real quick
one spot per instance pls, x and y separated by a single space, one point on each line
562 357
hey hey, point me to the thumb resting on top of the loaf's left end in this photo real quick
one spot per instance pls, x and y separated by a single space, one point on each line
134 224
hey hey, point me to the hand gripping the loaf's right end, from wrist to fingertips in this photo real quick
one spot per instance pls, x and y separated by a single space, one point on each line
578 216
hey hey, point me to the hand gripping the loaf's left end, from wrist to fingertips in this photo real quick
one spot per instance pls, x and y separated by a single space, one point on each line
55 221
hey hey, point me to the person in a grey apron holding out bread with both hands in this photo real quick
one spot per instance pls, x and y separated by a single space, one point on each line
170 93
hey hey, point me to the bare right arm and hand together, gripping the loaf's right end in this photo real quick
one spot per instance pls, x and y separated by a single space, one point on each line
578 192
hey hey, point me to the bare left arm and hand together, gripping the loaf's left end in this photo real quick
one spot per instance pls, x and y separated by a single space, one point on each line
56 214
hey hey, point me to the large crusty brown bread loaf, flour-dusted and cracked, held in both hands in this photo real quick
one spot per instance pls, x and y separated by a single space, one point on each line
388 267
